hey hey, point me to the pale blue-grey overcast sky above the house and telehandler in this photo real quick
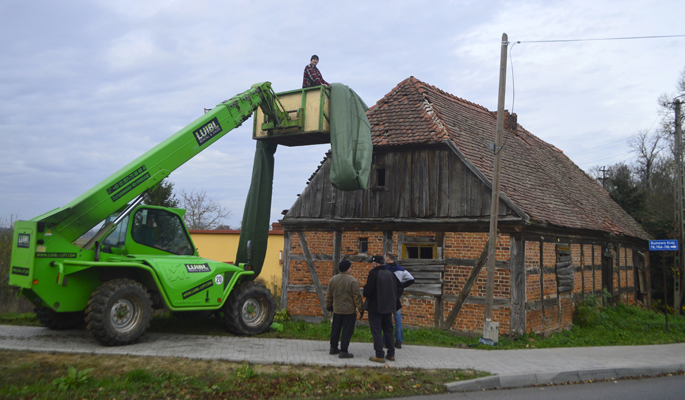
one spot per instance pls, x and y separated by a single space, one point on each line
87 86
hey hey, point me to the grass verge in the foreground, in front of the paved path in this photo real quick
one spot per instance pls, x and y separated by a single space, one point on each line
69 376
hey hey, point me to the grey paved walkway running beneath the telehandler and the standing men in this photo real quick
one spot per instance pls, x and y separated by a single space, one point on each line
510 368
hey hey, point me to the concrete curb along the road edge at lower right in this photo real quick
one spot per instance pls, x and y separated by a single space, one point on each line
551 378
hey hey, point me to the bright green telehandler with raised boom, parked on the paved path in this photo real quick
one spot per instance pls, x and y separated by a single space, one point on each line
142 258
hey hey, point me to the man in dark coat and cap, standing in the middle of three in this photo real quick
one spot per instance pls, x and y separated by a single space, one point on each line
382 291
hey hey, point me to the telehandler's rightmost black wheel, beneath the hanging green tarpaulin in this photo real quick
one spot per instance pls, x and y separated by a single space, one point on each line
249 309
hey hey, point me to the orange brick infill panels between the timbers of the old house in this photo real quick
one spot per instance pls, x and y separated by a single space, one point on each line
420 310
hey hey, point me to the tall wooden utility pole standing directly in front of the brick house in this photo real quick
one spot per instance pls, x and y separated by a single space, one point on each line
490 328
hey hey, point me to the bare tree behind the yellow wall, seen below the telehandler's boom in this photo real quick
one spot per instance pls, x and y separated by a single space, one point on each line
202 212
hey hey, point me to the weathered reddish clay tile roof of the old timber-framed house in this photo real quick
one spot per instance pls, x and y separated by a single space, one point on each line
537 177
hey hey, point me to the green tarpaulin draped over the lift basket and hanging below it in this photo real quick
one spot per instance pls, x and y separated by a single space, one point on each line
351 154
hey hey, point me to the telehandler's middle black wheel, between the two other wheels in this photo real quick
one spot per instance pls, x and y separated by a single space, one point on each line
119 312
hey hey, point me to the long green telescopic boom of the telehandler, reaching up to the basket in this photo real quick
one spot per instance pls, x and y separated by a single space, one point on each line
113 193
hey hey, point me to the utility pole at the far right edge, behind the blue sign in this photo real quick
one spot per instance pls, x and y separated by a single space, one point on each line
679 209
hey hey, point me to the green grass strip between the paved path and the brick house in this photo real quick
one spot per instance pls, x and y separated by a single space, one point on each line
608 326
